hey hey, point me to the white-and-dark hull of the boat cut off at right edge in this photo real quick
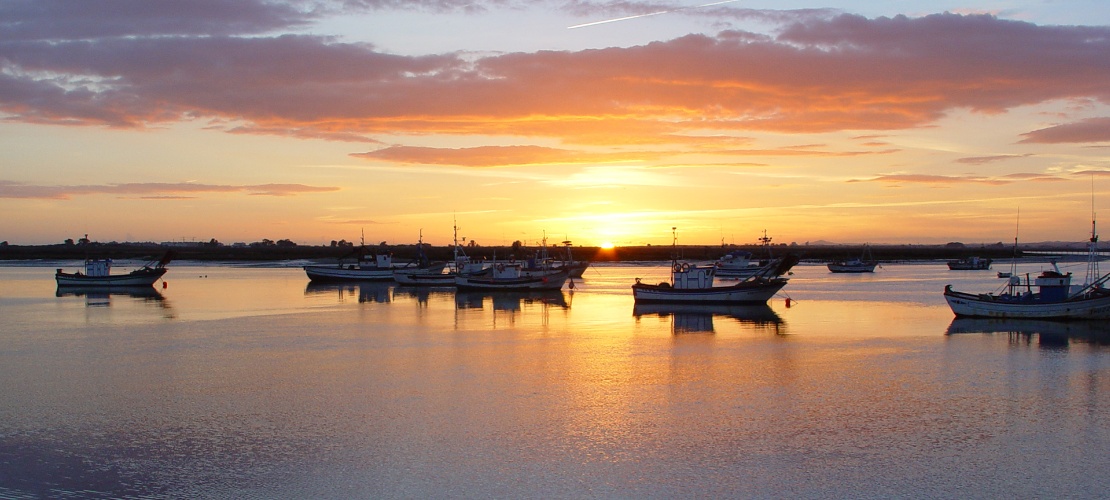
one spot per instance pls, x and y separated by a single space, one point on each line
972 306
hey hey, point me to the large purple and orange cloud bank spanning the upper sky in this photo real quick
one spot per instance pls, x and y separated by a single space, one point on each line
821 74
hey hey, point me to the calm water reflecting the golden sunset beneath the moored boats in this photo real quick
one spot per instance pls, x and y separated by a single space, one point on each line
239 382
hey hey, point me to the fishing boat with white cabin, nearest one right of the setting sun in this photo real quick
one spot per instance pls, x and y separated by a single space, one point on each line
691 284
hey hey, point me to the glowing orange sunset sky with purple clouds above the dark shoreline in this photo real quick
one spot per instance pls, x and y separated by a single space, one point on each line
592 122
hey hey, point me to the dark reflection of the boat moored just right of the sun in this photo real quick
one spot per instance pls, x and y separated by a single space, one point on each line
699 318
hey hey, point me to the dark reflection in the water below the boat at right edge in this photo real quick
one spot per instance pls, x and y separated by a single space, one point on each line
1047 334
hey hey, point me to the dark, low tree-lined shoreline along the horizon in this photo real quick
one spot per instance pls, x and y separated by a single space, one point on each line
880 253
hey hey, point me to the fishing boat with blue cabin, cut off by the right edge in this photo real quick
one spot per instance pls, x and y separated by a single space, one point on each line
1050 296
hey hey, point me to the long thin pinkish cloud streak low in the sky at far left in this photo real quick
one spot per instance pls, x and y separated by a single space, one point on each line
150 191
